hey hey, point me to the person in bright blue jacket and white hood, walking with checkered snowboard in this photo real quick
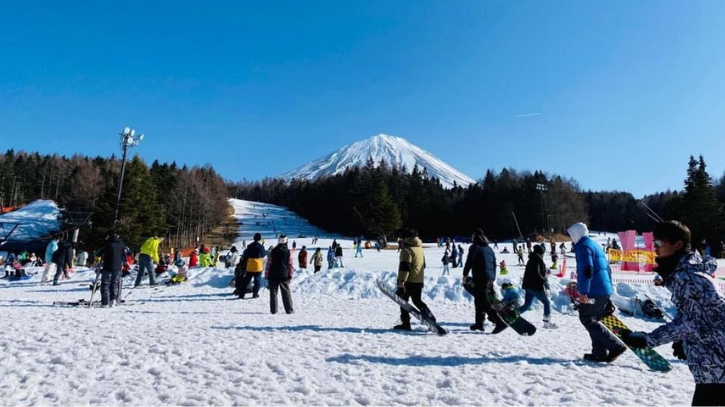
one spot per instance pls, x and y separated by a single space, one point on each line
595 287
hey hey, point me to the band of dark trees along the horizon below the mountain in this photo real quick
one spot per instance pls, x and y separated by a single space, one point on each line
374 200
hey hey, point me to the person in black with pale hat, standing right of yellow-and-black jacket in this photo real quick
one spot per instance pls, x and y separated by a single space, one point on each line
278 274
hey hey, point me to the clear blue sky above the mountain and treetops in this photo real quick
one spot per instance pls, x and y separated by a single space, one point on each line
615 94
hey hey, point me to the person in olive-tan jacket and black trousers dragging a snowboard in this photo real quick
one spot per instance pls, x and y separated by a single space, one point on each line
411 269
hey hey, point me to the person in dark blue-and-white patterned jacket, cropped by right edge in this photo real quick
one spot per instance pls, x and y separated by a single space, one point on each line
698 331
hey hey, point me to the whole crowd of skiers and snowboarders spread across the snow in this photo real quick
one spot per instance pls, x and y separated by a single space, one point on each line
697 333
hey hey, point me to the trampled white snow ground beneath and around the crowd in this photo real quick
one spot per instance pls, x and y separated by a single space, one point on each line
194 344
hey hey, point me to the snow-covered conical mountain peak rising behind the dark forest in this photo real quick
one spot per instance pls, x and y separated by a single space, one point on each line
395 150
